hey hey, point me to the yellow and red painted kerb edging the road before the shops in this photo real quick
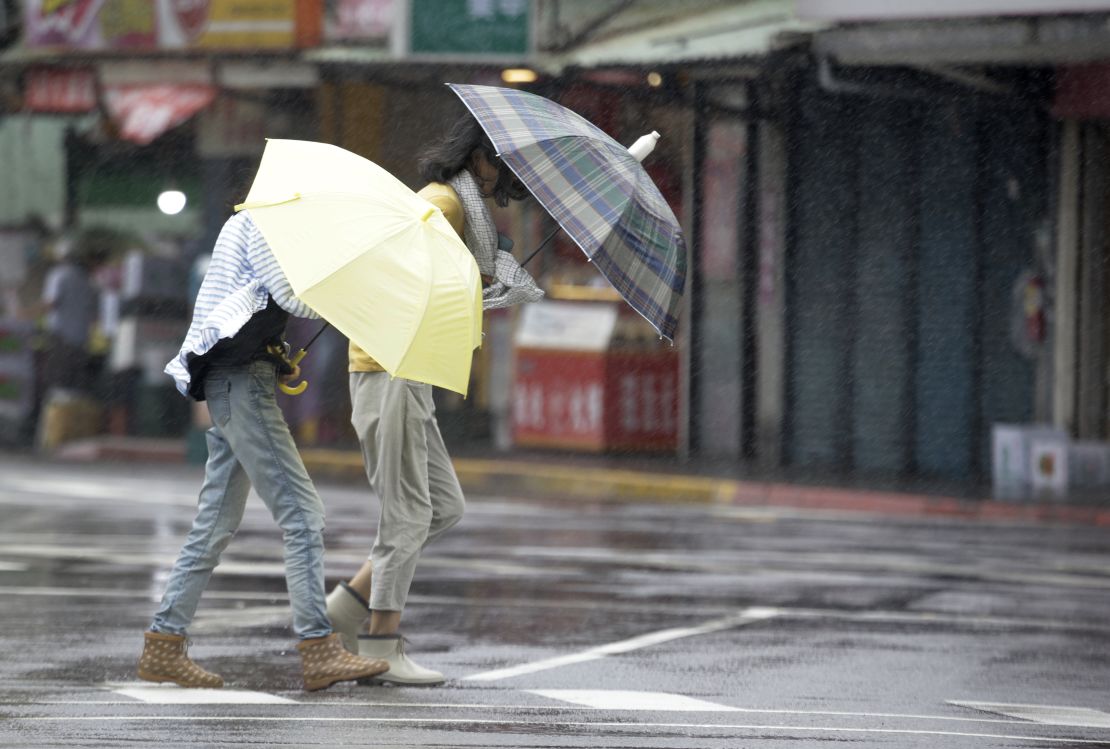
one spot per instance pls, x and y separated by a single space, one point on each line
639 479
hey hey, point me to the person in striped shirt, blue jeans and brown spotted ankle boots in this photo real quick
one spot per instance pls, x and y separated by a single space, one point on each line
233 359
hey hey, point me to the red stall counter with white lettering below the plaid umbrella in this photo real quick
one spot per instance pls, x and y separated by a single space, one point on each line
593 377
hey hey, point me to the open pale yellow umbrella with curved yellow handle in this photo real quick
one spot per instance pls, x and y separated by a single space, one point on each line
376 260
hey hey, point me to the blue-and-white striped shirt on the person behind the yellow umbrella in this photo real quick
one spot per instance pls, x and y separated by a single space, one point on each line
244 272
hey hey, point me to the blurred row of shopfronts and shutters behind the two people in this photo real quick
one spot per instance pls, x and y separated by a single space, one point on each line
897 214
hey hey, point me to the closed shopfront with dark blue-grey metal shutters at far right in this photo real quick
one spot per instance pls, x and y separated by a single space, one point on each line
932 315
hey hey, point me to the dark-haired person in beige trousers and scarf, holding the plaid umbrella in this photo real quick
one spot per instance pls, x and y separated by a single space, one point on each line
403 451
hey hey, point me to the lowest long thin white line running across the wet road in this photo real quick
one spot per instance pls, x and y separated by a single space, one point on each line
623 726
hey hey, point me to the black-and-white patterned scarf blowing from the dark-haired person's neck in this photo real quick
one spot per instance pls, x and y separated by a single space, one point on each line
512 284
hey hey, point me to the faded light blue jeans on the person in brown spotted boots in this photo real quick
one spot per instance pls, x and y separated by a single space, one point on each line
250 444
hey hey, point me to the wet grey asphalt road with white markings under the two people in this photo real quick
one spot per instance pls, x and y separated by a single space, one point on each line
566 625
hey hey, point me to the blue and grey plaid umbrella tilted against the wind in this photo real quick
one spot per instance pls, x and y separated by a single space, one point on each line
597 191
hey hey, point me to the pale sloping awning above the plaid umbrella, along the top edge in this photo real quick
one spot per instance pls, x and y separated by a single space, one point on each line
721 33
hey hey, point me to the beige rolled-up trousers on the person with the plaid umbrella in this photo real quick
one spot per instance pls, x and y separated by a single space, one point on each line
411 472
